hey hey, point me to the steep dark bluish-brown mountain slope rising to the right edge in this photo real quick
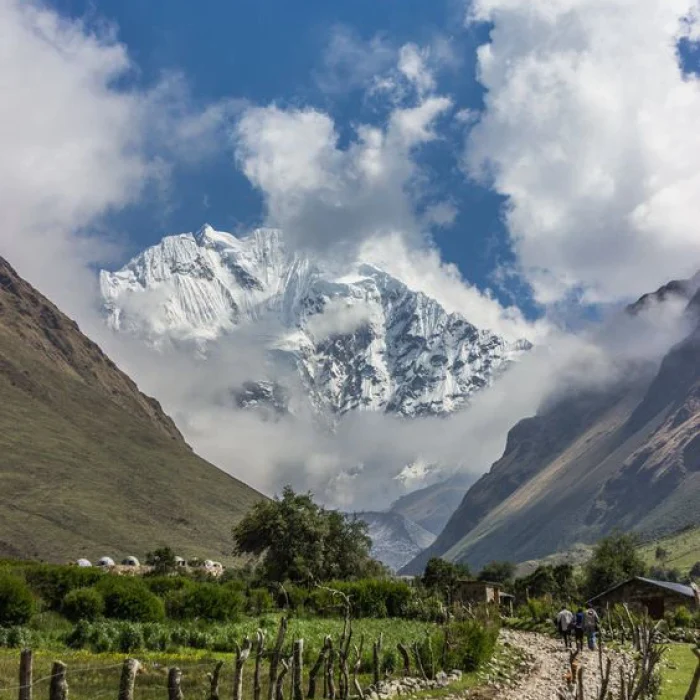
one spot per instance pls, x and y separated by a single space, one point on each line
625 456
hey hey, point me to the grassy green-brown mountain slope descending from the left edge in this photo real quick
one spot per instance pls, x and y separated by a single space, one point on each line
89 465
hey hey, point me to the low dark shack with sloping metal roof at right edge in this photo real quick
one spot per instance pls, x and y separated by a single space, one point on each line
656 597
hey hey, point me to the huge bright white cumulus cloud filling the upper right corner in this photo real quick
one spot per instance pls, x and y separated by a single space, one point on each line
590 130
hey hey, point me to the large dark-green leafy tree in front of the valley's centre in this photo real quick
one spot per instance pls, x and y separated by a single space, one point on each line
301 541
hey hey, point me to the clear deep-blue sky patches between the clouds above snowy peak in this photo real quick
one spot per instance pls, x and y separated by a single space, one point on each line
273 51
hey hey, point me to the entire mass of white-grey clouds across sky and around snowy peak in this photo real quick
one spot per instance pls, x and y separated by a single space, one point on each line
598 167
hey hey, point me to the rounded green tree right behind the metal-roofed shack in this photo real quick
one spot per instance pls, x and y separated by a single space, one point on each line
615 559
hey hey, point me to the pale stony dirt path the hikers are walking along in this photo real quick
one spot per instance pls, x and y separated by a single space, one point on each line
545 666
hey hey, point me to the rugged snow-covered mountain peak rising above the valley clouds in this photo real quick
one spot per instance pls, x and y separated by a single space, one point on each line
358 337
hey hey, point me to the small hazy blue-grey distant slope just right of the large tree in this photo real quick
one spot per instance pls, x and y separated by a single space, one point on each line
395 539
